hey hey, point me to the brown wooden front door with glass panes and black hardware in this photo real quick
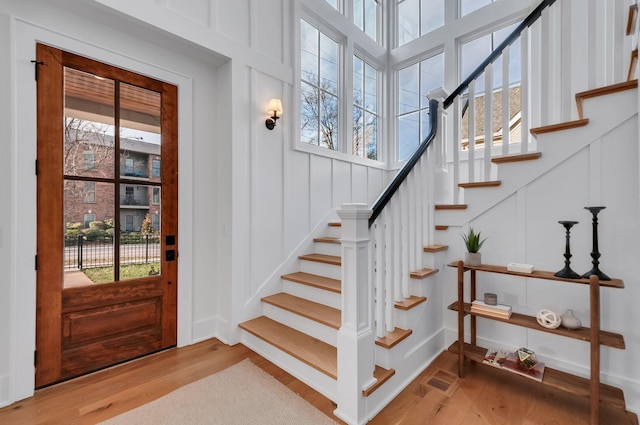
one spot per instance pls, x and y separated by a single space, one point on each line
107 215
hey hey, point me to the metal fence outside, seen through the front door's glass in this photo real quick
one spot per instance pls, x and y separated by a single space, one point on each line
83 253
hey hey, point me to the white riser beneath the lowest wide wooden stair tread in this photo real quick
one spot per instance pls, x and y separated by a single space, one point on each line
320 382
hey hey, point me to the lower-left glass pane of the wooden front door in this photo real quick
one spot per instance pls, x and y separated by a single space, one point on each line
88 241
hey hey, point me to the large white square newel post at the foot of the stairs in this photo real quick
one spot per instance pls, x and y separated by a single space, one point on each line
356 336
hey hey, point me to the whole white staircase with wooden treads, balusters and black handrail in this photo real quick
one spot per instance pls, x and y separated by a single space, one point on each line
302 322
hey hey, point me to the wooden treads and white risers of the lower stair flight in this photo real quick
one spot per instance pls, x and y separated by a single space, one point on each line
298 328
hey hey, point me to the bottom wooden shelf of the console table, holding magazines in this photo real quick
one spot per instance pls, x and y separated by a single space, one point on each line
609 396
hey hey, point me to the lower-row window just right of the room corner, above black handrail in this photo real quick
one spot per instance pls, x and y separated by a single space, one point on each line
414 83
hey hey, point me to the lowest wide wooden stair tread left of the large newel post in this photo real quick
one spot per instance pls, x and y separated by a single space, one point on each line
311 351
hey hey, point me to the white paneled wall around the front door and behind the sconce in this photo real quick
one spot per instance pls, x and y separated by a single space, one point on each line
247 197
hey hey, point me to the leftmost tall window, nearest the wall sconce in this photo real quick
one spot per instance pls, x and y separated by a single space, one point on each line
318 88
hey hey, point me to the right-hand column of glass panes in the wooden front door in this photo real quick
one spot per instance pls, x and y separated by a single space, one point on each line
141 177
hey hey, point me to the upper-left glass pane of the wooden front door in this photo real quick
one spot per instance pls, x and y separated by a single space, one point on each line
88 124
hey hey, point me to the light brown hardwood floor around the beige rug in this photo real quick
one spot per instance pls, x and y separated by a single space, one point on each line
437 397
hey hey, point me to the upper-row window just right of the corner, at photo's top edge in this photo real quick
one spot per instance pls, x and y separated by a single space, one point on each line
416 18
